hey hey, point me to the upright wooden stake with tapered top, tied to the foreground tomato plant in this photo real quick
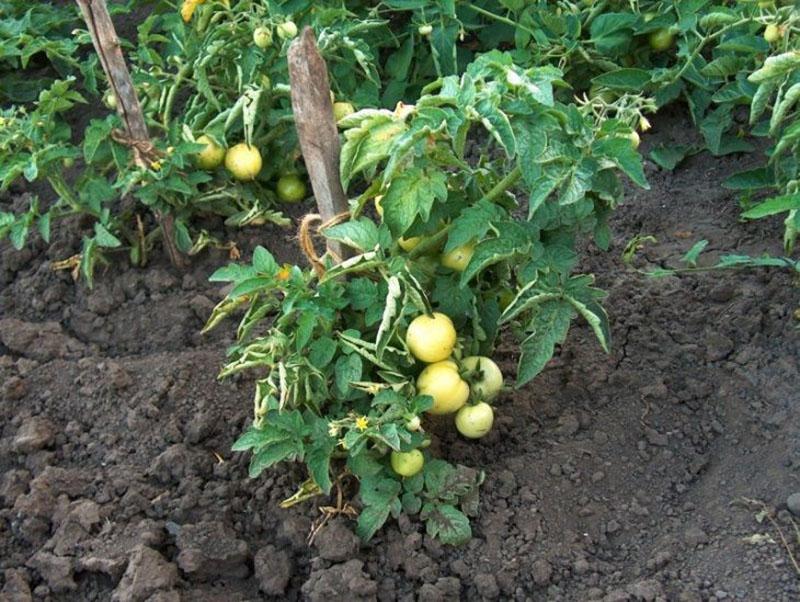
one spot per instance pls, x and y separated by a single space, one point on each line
316 128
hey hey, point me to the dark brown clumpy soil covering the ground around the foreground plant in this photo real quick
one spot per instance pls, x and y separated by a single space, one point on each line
620 477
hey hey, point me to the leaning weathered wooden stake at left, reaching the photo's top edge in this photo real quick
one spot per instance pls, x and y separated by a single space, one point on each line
106 43
